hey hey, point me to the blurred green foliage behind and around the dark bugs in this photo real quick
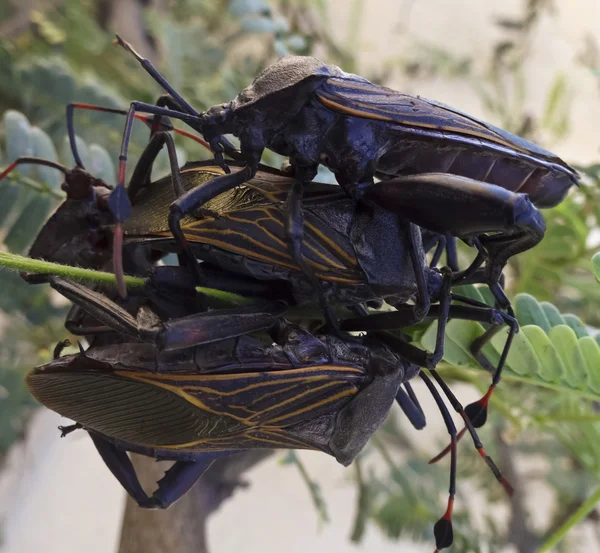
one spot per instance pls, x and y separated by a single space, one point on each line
546 406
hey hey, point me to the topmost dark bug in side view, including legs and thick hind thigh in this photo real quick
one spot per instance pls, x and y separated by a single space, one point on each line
317 114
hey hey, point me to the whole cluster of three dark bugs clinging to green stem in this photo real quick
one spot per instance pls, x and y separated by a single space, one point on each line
170 376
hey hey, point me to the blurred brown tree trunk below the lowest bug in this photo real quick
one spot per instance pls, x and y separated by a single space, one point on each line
182 527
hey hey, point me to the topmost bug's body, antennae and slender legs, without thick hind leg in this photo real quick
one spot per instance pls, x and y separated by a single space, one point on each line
317 114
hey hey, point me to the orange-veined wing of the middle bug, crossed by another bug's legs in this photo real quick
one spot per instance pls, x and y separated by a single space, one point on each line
250 221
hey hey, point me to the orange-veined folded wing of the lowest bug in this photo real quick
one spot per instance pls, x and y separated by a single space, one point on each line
195 413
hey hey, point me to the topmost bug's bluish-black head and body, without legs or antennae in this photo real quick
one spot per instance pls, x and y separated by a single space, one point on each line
318 114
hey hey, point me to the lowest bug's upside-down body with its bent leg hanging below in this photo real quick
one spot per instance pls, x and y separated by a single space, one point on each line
327 393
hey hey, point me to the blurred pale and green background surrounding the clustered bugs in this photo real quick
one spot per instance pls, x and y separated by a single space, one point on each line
529 66
